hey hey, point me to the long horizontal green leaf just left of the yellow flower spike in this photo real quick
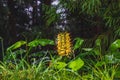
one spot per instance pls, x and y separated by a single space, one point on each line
42 42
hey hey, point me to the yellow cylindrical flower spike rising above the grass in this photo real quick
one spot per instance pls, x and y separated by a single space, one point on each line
64 44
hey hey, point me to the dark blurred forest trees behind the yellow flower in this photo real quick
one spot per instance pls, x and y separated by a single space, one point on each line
88 19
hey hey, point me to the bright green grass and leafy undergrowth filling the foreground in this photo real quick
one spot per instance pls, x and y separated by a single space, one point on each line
90 64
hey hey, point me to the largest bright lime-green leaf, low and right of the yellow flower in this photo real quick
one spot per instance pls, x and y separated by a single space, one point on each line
76 64
